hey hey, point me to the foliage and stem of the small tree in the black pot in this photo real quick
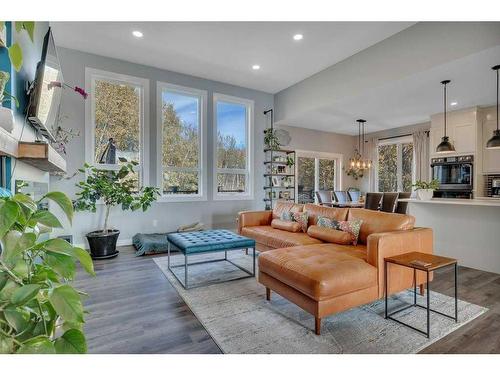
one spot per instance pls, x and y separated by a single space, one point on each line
113 188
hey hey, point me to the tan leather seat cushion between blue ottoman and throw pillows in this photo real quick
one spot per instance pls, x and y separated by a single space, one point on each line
277 238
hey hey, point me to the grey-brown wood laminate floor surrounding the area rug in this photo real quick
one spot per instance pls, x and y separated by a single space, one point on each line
134 309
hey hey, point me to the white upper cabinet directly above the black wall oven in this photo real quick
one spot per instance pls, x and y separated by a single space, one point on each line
461 128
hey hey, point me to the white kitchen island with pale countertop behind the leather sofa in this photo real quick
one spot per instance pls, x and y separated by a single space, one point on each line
465 229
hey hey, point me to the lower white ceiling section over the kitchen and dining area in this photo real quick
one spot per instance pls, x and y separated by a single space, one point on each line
412 100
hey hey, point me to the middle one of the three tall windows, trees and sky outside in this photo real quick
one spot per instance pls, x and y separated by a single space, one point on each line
181 137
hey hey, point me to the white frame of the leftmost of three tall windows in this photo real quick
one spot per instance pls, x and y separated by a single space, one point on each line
91 75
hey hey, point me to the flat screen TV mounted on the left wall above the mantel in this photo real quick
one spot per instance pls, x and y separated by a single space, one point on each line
45 98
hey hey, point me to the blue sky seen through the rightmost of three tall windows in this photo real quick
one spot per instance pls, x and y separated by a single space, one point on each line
231 120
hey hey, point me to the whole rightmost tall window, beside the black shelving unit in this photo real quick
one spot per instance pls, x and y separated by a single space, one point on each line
232 122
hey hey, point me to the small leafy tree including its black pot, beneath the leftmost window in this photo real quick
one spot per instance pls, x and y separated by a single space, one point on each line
112 188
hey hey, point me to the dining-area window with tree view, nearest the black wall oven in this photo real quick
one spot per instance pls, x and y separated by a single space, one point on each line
395 165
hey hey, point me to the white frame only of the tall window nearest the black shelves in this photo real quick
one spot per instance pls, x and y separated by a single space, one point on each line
249 170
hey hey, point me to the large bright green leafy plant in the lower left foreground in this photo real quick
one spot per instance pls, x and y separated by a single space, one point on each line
40 312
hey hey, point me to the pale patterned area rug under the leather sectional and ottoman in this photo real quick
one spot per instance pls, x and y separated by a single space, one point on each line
240 320
